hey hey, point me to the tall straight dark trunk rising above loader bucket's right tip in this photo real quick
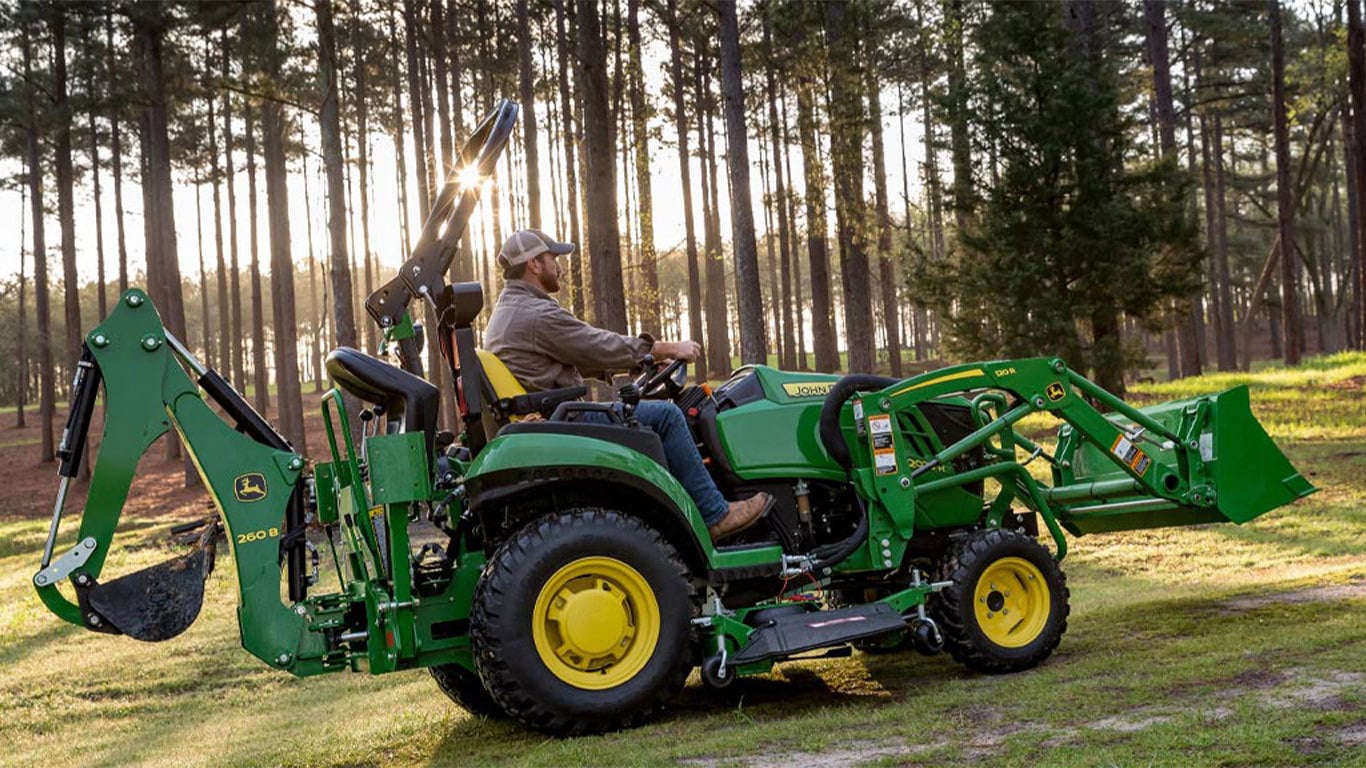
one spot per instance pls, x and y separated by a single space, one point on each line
1285 206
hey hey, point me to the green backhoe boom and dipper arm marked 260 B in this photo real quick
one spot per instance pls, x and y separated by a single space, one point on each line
249 472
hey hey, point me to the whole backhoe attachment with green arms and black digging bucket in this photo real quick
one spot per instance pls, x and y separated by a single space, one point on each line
249 471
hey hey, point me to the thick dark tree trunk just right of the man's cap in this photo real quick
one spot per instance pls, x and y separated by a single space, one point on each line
606 255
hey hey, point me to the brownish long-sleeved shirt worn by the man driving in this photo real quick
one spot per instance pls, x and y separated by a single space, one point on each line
547 348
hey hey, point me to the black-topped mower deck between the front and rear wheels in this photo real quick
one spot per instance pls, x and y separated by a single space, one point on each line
819 629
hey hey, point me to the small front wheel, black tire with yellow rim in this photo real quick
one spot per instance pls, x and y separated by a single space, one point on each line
1007 607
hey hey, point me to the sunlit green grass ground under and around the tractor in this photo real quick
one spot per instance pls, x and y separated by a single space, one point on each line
1214 646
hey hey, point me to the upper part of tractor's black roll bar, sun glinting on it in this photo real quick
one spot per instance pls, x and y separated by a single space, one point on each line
424 273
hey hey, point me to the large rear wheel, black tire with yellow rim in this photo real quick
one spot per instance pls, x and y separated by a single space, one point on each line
581 624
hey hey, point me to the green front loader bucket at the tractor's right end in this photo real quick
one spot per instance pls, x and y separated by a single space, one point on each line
1238 465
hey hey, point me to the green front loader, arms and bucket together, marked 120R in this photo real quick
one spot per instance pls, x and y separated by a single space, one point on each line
1204 460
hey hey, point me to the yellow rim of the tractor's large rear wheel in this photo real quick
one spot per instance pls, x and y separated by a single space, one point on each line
596 624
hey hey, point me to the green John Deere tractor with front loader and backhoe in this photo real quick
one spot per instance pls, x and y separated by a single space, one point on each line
568 580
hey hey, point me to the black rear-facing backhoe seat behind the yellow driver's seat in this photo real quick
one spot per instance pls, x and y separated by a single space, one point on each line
401 393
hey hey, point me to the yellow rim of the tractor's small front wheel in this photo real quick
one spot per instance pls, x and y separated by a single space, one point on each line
1012 602
